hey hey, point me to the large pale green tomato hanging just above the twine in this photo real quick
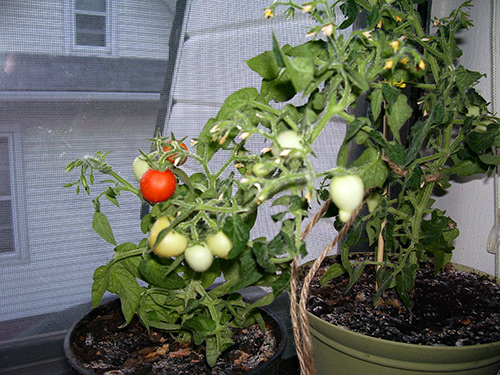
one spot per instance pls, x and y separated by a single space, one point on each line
347 192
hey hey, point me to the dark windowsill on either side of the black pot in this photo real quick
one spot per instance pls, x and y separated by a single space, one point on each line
38 349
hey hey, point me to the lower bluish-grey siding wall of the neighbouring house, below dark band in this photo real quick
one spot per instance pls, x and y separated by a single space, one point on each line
62 250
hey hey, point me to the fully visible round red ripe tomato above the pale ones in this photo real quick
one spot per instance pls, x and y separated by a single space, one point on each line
157 186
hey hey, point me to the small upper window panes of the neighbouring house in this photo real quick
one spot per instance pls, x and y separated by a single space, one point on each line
91 23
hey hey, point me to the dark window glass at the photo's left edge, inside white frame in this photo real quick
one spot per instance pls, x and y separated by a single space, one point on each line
6 222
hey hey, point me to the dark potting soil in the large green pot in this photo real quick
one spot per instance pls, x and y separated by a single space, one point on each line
454 308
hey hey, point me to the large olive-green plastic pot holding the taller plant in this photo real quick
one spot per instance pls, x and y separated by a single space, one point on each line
340 351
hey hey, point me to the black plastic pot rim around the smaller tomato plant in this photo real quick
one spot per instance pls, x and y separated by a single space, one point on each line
270 367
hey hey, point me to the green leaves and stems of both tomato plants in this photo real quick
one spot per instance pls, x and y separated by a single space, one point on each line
412 86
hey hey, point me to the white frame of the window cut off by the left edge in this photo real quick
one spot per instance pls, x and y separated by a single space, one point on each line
17 194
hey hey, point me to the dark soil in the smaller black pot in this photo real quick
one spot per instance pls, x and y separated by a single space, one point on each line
106 348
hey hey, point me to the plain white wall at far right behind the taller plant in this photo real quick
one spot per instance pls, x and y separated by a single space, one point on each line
471 204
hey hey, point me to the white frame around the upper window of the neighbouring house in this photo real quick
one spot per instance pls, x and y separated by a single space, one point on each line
94 50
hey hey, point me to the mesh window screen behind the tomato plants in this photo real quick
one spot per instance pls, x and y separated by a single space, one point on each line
65 103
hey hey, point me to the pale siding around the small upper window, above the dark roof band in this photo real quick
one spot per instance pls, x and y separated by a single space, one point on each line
44 27
